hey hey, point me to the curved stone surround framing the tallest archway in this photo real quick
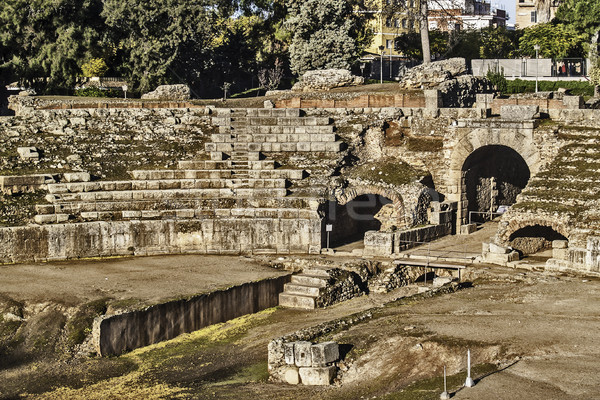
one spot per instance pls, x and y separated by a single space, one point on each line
518 139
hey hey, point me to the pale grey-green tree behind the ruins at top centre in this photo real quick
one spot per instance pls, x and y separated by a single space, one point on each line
325 34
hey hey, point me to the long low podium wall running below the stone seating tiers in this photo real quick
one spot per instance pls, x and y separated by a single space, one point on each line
153 237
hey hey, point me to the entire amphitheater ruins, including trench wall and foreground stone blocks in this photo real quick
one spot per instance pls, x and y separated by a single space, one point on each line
322 181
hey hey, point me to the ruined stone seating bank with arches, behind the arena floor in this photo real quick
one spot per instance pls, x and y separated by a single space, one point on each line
267 180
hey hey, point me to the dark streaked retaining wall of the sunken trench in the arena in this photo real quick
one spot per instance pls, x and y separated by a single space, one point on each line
117 334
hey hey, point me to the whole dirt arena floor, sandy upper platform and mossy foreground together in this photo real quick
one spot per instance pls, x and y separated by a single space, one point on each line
533 335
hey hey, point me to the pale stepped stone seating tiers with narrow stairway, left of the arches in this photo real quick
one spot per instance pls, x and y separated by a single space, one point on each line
237 181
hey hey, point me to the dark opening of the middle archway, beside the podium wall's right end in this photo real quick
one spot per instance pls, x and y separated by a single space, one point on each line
350 221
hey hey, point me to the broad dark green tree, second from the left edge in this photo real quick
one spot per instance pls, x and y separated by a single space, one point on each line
162 42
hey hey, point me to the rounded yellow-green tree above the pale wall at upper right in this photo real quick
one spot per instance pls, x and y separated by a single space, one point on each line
556 41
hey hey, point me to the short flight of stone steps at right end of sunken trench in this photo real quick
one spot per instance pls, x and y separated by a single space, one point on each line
304 289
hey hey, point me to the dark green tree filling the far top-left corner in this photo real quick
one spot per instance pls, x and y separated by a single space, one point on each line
45 41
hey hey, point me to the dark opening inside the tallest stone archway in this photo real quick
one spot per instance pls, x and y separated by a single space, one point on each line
493 176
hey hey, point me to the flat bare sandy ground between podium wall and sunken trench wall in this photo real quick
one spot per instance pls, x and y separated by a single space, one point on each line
147 278
